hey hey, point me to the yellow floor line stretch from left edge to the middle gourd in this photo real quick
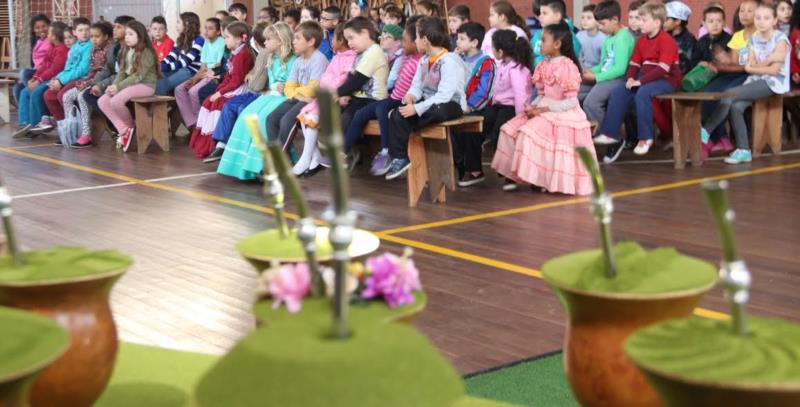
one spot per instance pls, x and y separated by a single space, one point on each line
125 178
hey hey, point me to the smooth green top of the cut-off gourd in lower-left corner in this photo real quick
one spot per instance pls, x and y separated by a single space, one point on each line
28 342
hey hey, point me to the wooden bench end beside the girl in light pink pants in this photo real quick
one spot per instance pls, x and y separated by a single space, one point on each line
152 122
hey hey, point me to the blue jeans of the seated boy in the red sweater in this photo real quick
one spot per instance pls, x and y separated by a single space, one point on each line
642 98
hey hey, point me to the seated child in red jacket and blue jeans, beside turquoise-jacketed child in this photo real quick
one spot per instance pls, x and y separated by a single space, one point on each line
31 99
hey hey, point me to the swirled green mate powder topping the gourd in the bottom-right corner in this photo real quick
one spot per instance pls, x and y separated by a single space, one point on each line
708 350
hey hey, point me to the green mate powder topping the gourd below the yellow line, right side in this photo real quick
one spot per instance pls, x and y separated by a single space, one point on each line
639 271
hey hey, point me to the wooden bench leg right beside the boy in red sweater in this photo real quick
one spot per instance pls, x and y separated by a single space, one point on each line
686 132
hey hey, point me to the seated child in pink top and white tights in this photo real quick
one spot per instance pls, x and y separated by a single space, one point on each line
333 77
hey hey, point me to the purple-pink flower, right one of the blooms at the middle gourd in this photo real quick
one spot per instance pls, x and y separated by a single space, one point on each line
393 278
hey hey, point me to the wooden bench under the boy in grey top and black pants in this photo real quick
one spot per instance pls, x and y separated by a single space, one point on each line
431 154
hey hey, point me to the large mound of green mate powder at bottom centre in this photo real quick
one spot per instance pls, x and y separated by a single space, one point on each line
299 364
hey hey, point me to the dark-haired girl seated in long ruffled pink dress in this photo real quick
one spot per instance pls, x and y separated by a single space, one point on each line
538 147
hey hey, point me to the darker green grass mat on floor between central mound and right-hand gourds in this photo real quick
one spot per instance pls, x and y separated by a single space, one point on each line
539 381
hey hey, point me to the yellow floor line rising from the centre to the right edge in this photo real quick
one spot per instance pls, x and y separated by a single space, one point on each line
573 201
